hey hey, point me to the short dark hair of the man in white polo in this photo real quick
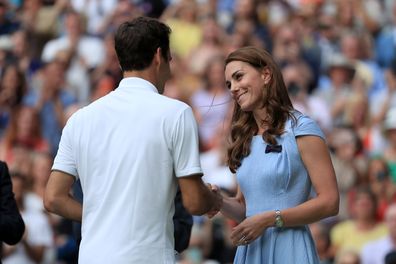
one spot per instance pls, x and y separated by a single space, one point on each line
136 42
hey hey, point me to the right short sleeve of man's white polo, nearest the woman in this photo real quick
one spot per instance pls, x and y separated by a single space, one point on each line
185 145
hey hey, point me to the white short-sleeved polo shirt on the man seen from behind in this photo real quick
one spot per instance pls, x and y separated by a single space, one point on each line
127 148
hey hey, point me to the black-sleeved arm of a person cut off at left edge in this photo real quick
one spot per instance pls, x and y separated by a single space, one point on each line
12 226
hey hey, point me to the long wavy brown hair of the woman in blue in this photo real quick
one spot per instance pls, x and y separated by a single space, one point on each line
276 101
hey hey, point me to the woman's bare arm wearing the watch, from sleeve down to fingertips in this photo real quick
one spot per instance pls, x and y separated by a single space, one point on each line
316 158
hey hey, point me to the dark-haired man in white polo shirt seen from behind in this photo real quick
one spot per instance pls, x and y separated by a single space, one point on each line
130 149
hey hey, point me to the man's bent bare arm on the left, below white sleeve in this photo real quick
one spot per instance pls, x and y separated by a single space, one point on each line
57 198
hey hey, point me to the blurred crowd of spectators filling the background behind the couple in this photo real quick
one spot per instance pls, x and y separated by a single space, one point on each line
338 59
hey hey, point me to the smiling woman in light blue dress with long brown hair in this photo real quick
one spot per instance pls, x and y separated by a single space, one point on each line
278 154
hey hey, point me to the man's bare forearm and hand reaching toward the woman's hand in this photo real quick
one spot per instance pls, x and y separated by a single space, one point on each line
197 197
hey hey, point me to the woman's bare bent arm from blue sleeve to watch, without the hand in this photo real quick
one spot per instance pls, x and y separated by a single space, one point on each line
316 158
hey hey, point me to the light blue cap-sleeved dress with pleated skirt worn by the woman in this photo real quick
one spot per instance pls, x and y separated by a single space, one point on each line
278 181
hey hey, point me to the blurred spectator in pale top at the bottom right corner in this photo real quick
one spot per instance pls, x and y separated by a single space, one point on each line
375 251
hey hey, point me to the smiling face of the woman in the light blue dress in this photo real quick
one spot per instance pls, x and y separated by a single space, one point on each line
246 84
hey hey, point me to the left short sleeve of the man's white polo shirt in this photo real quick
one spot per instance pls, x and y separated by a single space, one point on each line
65 159
